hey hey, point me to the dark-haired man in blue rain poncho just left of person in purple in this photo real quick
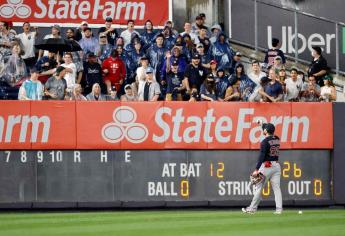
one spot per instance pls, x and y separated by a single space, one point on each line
156 54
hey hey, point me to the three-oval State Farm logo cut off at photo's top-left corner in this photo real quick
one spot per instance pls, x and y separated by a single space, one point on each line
15 7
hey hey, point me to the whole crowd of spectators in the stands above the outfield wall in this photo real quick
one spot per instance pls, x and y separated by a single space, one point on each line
197 64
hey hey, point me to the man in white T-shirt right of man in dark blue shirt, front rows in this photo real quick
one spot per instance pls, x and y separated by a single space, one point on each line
294 87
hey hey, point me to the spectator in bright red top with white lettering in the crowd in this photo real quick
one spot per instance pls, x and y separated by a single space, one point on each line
114 70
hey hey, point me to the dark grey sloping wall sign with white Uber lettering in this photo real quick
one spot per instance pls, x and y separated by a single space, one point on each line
280 23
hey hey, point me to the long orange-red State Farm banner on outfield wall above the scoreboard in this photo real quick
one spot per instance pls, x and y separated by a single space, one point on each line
161 125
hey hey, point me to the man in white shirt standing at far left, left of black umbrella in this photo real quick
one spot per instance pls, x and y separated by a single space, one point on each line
27 39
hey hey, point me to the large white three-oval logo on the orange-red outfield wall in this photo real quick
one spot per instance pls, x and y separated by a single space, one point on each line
124 126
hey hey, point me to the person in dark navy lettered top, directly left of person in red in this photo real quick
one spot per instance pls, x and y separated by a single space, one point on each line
92 74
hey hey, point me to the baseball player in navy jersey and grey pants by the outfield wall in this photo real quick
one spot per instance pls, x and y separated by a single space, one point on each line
268 168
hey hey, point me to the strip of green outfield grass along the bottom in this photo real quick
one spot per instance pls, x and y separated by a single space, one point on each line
174 222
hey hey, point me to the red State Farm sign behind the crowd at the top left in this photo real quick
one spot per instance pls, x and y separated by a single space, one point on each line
92 11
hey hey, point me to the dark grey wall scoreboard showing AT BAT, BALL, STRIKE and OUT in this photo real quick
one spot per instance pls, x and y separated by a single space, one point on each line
163 175
